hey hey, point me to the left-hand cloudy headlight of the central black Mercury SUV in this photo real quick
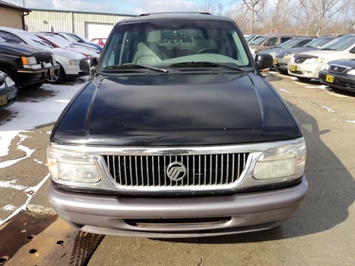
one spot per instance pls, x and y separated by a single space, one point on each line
72 166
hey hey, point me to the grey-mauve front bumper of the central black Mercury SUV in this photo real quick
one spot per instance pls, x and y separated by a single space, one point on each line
178 217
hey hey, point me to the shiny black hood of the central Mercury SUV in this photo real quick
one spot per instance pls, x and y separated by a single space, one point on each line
176 109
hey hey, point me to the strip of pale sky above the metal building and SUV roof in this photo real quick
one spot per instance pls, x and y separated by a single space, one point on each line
129 7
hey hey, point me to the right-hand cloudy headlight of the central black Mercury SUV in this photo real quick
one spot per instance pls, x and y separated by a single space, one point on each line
285 162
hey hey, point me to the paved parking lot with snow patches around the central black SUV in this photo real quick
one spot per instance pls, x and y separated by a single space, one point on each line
321 233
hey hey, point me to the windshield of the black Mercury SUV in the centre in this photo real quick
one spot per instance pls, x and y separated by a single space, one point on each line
165 43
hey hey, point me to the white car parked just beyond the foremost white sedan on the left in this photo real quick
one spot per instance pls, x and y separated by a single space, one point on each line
59 42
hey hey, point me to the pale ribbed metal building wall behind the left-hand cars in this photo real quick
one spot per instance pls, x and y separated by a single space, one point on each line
68 21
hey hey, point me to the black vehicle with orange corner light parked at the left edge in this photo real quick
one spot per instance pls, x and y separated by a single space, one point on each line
27 66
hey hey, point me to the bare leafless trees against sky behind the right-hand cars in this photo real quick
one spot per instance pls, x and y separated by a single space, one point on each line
299 17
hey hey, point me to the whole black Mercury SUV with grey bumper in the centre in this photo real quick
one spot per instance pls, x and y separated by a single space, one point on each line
176 135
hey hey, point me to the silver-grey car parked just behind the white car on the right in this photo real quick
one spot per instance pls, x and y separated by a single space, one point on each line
283 56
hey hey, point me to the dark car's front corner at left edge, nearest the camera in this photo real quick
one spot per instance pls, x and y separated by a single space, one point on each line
8 90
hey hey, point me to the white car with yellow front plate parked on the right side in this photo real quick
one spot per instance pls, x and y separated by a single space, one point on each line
306 66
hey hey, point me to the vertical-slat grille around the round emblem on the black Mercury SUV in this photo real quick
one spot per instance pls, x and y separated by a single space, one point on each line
200 170
